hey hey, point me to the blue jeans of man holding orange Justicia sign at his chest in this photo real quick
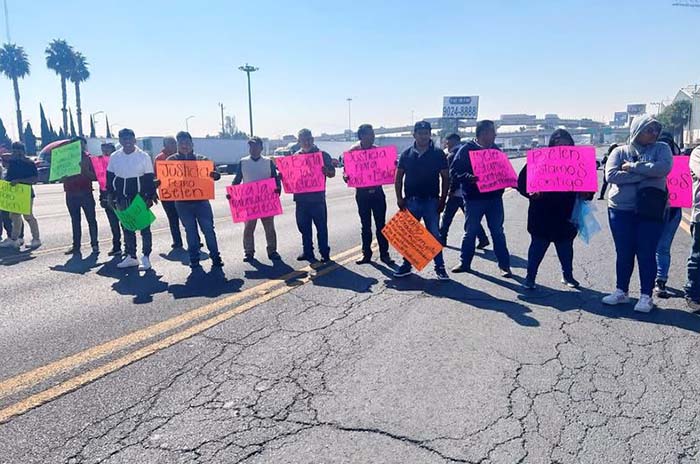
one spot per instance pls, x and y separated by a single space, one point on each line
196 215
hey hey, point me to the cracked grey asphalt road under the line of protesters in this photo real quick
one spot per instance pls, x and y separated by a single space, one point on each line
340 363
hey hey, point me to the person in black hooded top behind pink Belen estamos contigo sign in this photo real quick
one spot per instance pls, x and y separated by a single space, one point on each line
549 221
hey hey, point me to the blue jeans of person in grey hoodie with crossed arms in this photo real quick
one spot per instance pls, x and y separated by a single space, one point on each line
634 238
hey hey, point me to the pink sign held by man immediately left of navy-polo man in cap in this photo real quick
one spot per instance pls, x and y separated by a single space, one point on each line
369 168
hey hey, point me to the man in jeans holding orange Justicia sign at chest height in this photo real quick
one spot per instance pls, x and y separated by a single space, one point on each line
195 213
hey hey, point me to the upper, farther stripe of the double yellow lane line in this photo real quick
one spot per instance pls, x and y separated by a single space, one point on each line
40 374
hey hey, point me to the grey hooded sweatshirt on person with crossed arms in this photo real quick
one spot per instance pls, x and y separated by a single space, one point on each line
650 165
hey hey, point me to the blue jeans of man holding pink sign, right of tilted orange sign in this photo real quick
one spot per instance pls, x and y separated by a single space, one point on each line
475 211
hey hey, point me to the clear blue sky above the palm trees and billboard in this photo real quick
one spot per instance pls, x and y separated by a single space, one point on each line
154 63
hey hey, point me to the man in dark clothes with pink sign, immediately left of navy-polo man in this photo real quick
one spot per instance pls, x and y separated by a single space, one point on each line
371 201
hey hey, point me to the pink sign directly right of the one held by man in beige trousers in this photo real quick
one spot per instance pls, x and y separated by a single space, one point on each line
302 173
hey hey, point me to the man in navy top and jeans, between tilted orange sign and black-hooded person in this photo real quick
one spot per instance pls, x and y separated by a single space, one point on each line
478 204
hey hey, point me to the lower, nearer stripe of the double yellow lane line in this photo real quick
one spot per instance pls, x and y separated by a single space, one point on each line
76 382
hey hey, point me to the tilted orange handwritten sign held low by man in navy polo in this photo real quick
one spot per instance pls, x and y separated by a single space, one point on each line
411 239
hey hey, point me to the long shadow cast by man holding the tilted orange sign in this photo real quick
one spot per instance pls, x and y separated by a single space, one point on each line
456 291
